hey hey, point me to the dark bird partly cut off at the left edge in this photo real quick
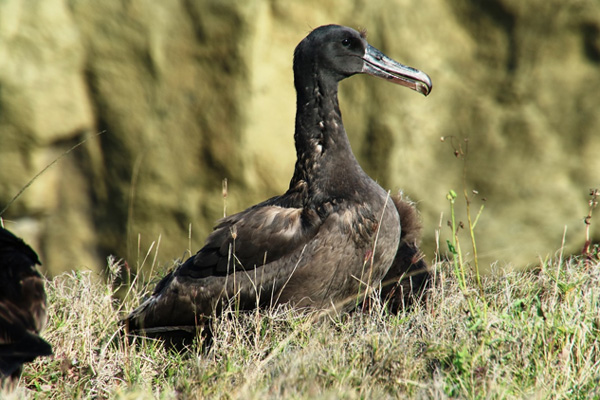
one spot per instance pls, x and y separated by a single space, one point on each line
22 308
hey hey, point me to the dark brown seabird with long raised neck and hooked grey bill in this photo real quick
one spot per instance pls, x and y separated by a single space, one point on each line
326 241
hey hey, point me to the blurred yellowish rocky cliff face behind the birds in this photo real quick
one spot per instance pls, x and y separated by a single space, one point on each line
187 93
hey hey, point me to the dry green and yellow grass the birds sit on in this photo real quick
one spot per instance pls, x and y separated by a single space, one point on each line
539 338
